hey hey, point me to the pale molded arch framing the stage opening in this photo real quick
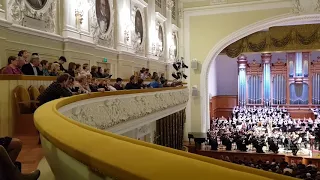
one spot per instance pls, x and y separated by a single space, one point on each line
283 20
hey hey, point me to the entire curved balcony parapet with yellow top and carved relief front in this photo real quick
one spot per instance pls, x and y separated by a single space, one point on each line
78 148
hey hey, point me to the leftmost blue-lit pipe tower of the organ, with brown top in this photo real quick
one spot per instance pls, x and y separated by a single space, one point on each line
242 80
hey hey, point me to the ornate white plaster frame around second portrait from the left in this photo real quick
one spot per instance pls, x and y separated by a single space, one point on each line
99 37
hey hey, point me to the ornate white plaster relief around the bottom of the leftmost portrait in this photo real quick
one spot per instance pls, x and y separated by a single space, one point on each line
21 12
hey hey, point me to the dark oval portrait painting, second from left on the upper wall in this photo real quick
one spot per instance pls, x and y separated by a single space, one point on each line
103 15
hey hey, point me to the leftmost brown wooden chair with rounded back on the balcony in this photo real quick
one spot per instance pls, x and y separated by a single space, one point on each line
23 124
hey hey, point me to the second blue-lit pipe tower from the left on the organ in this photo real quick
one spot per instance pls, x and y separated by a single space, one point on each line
266 60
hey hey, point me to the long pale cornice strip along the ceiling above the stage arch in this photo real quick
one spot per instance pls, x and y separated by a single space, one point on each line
238 7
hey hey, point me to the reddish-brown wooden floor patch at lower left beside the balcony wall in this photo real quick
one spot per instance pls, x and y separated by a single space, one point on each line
31 153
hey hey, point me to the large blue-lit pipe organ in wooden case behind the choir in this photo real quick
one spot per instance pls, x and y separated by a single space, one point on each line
294 81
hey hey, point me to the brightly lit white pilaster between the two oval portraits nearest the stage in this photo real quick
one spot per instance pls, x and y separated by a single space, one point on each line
168 26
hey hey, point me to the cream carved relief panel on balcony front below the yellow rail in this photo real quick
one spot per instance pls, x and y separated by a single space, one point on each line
116 113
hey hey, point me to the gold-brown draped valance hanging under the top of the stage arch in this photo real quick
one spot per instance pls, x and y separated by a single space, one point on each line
281 38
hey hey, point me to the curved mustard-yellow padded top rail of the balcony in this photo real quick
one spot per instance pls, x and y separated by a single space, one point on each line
125 158
